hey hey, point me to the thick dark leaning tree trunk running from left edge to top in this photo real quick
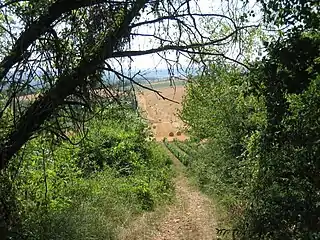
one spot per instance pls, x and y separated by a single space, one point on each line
48 103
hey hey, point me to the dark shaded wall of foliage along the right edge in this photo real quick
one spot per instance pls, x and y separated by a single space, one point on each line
289 149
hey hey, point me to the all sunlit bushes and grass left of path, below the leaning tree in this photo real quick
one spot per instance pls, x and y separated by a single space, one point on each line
89 190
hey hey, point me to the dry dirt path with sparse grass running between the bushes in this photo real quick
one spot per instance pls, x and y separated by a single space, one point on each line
190 217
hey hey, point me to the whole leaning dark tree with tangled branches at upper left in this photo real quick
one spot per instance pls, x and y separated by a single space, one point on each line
63 47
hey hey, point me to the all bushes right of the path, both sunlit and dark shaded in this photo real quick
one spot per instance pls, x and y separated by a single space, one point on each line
261 156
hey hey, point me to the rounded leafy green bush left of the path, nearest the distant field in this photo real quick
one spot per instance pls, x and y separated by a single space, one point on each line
121 145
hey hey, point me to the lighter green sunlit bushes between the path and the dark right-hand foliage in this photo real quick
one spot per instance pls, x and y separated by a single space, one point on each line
221 110
